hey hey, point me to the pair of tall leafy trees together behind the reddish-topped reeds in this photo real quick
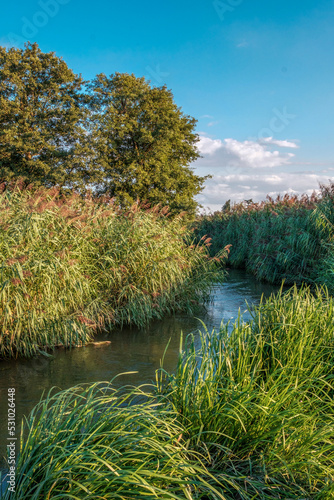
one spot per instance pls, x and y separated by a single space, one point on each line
116 135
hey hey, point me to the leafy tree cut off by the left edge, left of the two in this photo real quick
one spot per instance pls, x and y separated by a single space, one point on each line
42 118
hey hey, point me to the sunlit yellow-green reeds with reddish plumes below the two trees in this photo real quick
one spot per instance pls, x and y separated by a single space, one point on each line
70 266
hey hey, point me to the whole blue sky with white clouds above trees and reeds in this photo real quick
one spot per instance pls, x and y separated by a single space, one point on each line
258 76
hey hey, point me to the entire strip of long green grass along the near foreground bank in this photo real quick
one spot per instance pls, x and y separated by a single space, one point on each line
247 415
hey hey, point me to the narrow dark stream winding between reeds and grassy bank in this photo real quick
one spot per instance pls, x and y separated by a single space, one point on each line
131 349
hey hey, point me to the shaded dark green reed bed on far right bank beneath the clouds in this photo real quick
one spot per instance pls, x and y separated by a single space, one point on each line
286 238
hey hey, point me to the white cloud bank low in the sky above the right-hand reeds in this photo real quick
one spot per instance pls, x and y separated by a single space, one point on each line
254 169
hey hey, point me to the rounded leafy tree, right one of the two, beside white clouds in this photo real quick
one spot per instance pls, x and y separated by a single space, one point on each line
143 143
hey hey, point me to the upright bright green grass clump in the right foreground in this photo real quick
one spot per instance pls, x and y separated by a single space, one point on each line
258 402
